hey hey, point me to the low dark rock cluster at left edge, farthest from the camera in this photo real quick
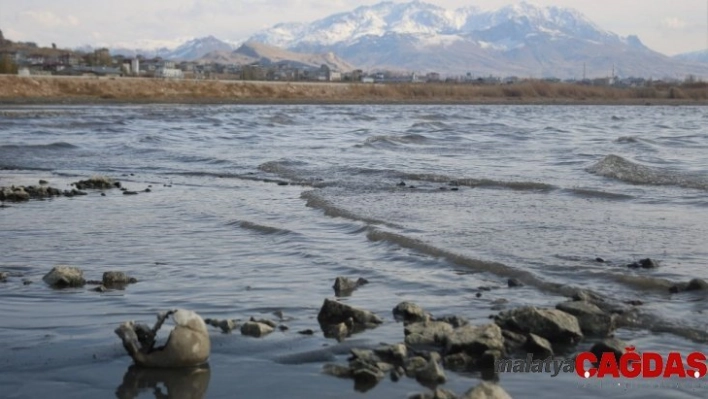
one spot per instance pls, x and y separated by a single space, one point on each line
43 190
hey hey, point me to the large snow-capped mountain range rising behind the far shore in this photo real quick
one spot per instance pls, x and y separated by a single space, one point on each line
520 39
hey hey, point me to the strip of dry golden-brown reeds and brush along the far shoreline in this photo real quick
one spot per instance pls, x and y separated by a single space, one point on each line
57 90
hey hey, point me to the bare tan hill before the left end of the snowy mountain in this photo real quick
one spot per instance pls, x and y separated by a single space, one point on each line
253 52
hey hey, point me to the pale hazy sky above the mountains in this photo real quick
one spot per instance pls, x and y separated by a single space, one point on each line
667 26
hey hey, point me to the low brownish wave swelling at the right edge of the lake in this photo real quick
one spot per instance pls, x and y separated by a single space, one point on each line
616 167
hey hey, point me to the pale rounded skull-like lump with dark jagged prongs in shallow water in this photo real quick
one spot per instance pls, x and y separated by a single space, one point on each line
188 344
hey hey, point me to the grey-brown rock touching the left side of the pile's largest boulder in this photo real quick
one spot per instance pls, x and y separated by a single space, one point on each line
474 340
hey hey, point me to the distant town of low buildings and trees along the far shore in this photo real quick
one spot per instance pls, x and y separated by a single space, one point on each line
28 59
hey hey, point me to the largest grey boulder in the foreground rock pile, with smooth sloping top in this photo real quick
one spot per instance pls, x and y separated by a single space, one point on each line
552 324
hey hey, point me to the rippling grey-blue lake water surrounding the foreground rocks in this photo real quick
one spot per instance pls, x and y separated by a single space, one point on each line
541 192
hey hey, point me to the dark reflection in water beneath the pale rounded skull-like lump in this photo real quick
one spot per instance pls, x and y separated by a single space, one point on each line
179 383
